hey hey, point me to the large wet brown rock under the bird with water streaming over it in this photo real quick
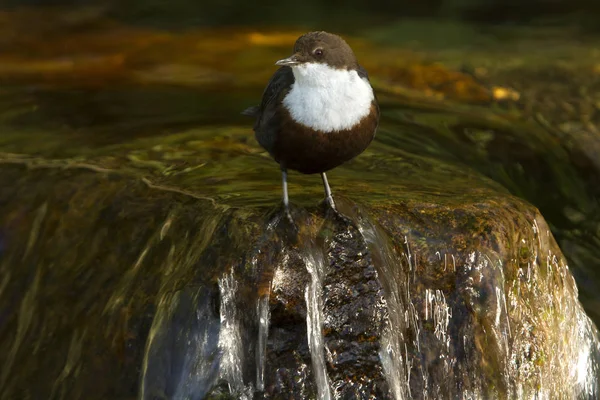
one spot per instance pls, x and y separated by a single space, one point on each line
413 300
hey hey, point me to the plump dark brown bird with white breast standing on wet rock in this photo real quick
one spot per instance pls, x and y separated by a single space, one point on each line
318 110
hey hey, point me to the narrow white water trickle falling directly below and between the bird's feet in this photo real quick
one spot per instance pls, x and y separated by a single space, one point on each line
315 265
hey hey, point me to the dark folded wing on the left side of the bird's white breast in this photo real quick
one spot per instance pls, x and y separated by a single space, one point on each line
267 123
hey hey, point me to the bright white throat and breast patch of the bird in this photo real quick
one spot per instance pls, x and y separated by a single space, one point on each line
328 99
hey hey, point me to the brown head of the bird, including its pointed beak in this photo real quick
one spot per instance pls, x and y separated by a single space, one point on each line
324 48
